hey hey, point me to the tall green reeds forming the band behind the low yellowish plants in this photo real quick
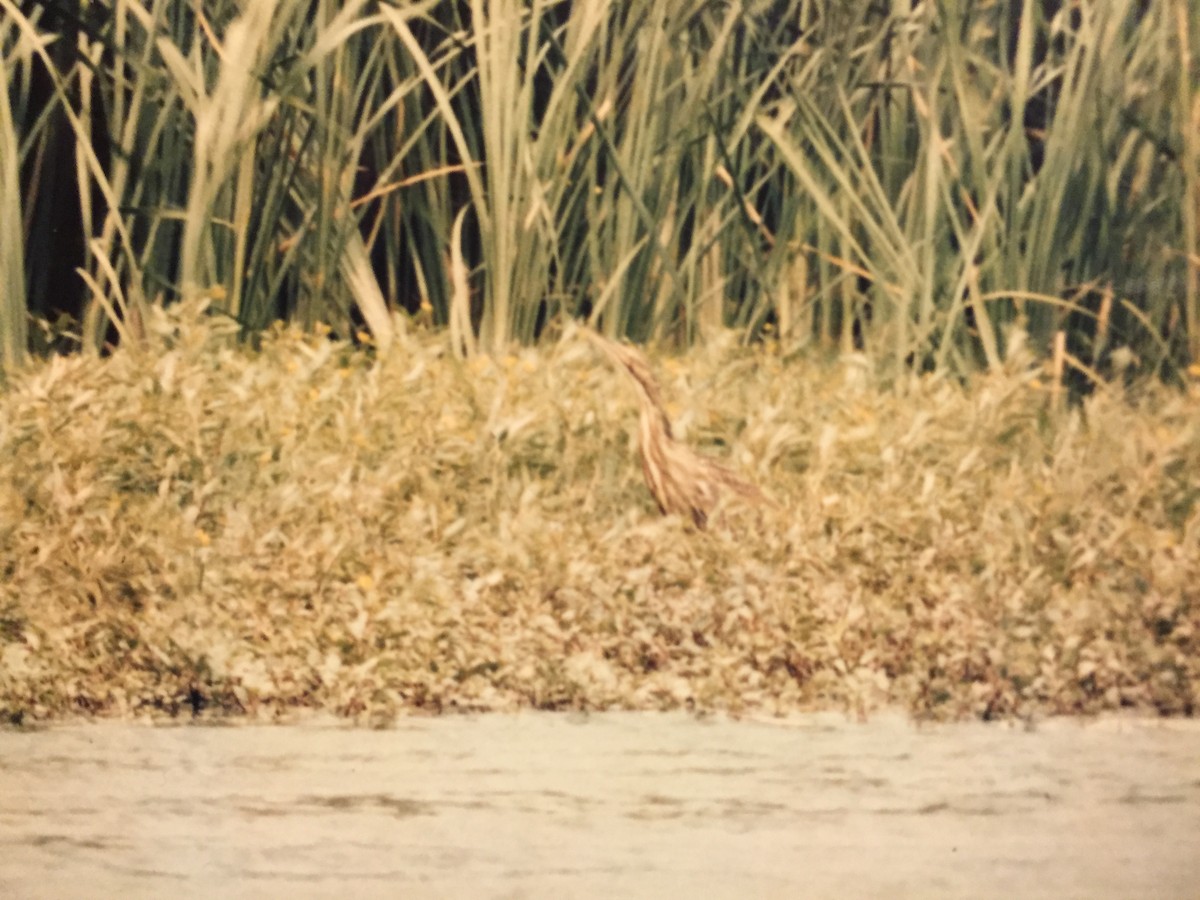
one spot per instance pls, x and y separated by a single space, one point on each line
914 181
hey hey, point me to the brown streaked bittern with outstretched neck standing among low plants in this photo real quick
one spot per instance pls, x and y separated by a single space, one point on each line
681 481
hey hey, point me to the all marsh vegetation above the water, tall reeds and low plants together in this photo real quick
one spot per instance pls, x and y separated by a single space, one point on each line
289 417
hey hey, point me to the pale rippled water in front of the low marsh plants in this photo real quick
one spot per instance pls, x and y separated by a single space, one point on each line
643 806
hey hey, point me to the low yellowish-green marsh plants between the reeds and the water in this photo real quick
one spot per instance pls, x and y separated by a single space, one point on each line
197 527
